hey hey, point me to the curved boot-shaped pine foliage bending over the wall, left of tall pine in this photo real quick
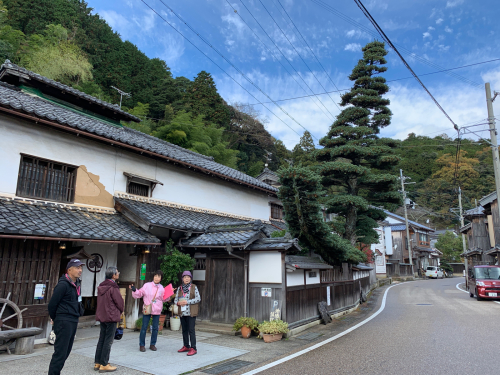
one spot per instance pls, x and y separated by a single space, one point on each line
299 192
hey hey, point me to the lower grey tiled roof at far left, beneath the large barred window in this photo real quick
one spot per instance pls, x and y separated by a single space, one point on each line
34 218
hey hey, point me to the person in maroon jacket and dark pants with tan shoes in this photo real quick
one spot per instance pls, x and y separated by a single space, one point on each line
110 306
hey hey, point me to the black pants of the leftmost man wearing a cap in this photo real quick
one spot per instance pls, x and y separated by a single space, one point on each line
65 335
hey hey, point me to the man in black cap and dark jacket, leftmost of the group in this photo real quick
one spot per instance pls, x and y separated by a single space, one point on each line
65 307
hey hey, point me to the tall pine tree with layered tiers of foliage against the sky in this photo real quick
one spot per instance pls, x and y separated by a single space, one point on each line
354 158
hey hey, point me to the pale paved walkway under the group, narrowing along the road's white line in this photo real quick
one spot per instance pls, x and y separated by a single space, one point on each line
233 352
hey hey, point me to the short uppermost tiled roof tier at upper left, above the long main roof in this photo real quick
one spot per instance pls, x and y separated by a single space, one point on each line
9 68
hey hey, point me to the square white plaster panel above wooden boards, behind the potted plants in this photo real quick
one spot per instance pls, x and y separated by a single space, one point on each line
264 267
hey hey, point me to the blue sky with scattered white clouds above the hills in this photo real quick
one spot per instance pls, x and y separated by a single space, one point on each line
290 58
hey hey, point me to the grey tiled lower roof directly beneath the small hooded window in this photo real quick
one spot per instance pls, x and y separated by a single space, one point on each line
172 217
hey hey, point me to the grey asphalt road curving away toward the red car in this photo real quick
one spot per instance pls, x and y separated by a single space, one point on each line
427 327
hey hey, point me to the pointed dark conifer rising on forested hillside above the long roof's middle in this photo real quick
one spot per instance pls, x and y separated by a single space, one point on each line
203 99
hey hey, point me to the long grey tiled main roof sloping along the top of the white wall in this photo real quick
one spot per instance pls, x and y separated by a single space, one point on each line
12 97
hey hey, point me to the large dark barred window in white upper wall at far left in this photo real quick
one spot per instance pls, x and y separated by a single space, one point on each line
46 179
